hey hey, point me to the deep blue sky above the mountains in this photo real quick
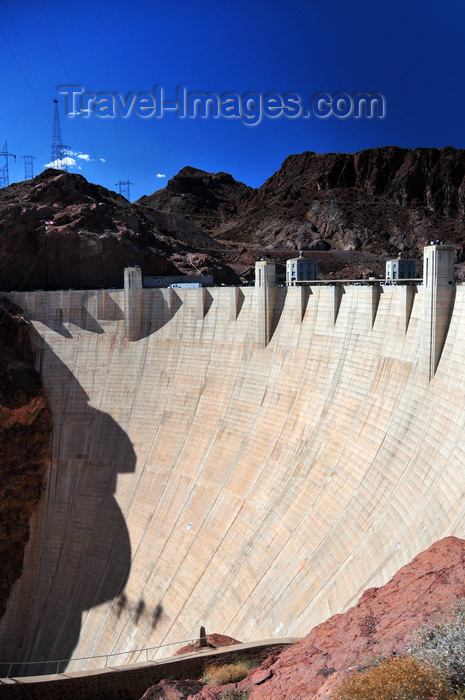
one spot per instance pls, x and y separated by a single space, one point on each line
409 52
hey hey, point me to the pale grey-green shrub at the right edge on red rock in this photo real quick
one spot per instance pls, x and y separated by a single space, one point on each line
443 646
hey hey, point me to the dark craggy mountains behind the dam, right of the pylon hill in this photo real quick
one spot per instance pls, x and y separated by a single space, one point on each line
379 201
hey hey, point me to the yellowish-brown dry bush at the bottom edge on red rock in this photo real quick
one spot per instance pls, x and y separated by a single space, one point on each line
399 678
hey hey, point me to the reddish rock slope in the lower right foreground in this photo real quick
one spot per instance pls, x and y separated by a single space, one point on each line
382 622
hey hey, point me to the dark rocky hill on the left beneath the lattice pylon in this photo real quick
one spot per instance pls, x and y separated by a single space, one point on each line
94 233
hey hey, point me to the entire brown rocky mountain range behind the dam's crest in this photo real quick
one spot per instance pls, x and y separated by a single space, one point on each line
352 210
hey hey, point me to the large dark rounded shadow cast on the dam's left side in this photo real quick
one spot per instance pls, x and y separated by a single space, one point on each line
81 552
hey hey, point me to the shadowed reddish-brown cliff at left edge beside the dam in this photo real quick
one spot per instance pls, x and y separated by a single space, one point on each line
25 439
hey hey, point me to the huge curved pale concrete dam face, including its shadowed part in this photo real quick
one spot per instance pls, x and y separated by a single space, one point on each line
247 461
